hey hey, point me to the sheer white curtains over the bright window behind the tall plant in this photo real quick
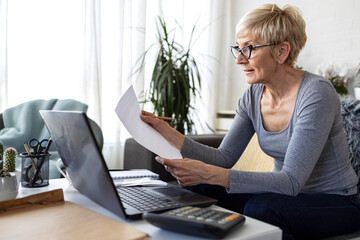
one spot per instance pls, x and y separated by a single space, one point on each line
87 50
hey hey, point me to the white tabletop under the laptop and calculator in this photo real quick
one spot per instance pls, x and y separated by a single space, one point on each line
252 229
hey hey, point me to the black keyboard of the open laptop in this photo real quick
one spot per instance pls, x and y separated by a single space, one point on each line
138 198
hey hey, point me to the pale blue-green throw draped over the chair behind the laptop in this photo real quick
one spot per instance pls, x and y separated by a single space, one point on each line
24 122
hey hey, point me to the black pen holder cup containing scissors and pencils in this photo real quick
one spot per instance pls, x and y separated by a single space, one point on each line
34 170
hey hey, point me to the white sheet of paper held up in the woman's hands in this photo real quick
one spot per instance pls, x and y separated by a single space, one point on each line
128 110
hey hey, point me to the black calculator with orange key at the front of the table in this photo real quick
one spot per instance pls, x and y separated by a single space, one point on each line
203 222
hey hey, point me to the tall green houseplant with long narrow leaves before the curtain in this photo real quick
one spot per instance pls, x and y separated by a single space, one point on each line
175 80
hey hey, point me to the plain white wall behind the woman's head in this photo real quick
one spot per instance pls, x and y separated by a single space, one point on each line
333 31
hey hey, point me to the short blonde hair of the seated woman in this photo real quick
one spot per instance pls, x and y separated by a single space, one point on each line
275 25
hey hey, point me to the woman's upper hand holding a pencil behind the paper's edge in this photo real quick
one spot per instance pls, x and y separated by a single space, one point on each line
174 137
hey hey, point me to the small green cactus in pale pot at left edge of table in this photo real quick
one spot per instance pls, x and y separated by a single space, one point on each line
8 180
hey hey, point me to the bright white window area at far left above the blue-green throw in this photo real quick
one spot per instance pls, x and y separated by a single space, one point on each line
45 49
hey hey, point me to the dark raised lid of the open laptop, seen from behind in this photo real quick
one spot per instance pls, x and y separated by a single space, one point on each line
82 157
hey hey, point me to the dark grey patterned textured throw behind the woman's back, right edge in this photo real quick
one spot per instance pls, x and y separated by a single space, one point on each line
350 110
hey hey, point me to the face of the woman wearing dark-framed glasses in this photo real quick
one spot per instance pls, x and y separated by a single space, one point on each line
261 65
